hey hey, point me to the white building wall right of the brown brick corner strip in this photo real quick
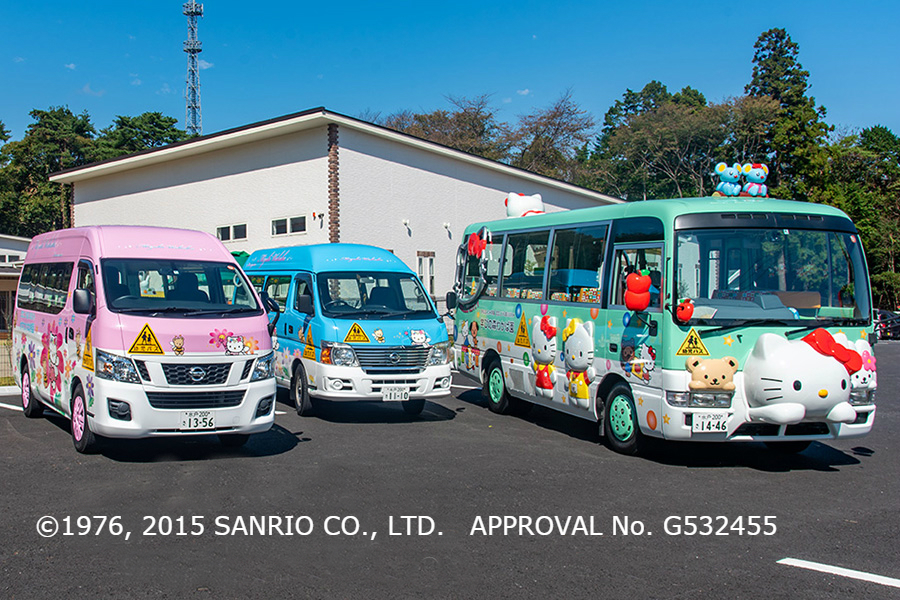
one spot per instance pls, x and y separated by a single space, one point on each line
383 182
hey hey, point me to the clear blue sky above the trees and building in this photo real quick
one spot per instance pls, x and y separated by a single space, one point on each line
267 59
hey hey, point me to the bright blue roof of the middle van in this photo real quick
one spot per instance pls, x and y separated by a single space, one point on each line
326 257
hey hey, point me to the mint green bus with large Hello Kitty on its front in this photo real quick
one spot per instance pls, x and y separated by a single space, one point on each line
703 319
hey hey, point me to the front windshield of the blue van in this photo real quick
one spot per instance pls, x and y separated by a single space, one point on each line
373 295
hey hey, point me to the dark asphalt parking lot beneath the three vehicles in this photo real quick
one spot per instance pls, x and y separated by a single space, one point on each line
332 506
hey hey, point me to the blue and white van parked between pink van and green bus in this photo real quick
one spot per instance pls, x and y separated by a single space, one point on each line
355 324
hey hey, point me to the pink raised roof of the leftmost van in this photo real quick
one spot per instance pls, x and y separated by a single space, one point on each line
128 241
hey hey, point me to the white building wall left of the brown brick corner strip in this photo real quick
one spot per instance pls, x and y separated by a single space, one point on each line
253 184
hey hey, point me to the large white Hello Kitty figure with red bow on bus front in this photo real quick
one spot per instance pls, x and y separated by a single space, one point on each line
786 381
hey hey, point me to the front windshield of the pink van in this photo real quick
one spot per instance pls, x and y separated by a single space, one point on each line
177 288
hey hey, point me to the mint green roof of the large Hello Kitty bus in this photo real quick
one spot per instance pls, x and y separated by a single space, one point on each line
666 210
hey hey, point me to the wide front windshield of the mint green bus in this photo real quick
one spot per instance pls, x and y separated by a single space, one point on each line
793 276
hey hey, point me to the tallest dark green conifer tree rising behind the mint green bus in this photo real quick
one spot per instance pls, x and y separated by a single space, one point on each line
795 143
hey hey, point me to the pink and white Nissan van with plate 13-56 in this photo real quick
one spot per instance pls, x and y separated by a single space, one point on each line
136 332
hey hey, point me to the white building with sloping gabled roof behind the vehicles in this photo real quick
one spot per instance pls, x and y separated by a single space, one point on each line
315 177
